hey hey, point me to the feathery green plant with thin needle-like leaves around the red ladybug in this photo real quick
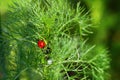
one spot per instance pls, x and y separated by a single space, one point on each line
63 28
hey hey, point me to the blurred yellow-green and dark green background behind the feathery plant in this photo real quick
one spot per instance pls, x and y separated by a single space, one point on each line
105 16
